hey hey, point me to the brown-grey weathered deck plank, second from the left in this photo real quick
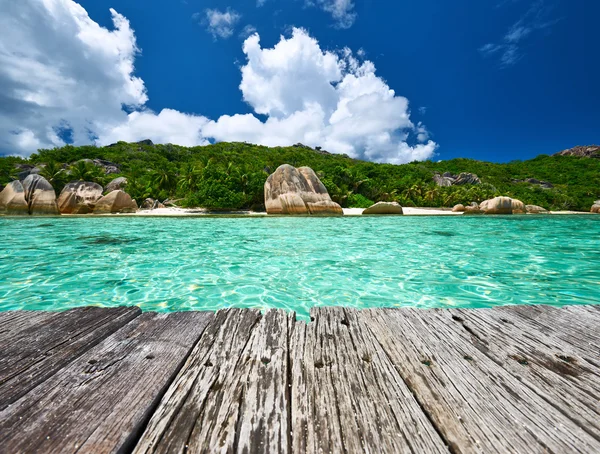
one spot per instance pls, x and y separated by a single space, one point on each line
101 401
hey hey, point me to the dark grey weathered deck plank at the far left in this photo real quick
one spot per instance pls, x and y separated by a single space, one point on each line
35 353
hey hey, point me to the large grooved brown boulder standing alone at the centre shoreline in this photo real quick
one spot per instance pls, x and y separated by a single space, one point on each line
298 191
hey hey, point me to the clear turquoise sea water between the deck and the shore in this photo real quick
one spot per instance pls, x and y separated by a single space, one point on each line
170 264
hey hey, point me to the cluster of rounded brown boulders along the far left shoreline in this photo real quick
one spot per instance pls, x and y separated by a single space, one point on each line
36 196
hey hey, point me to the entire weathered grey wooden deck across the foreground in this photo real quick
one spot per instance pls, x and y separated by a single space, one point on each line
510 379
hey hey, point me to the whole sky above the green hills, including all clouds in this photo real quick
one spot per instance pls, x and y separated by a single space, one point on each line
493 80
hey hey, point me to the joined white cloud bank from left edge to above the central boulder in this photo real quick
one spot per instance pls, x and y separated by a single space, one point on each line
78 77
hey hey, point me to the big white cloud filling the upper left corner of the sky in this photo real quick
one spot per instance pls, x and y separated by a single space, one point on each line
59 68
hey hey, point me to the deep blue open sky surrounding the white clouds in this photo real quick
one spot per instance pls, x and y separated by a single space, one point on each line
490 80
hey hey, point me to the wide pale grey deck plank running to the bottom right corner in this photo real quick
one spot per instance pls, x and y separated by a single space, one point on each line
476 404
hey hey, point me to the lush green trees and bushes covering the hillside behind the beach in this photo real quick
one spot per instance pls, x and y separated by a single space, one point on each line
232 175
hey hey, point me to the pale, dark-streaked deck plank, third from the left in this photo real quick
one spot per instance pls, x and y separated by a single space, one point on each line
203 396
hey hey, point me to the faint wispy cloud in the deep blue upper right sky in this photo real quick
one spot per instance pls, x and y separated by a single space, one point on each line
509 48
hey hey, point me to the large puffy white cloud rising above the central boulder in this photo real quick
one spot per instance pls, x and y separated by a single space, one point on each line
321 98
